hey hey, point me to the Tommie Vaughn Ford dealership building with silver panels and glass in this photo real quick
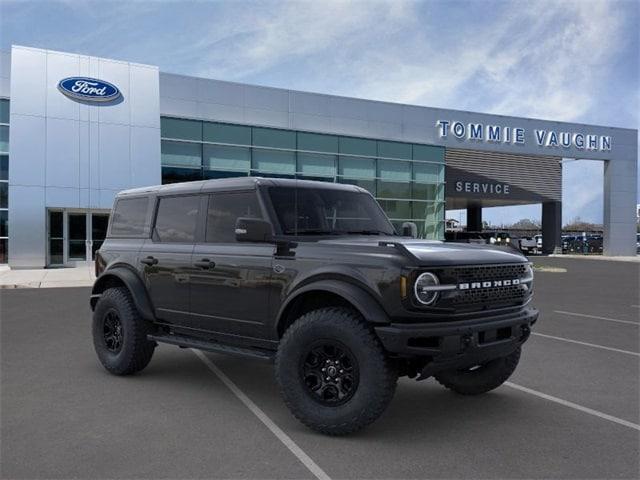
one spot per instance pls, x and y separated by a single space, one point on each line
75 130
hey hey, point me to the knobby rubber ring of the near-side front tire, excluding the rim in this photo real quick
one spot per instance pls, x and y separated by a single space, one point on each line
346 318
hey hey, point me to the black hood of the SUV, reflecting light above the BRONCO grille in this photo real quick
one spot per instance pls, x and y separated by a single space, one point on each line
434 252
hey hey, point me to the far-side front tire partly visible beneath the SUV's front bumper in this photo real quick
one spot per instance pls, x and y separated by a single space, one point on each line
480 379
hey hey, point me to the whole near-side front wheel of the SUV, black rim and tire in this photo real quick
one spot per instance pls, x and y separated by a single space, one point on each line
333 373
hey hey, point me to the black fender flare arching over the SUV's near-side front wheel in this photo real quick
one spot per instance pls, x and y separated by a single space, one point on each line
357 296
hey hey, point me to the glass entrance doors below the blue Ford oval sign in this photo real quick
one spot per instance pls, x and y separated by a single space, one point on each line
74 236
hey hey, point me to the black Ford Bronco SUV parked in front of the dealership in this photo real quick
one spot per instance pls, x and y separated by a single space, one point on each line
313 276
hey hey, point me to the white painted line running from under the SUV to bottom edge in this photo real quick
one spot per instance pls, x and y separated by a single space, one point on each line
257 411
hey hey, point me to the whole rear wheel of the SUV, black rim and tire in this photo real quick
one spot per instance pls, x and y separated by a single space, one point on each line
120 333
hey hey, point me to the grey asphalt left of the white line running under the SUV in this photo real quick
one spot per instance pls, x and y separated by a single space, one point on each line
64 416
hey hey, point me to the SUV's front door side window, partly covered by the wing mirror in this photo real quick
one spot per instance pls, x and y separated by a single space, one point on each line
224 210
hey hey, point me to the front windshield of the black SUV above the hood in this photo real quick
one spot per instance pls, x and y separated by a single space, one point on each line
319 211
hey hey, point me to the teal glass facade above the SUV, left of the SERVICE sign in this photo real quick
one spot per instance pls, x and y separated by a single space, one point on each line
407 179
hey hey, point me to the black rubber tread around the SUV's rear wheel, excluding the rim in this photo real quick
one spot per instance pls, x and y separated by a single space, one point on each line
139 355
